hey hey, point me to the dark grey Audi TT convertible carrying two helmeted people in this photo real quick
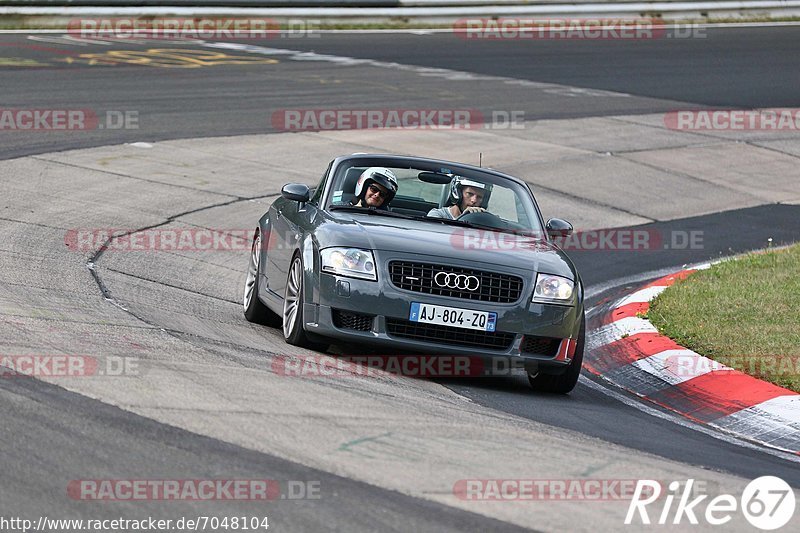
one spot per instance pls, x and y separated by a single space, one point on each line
424 256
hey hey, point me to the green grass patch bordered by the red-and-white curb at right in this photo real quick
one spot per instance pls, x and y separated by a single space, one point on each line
744 313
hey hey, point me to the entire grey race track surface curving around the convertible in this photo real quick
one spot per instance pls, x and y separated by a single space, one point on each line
385 453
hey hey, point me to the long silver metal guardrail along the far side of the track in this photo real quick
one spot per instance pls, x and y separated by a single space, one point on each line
437 11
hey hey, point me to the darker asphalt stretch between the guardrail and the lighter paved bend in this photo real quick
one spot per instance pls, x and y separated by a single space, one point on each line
748 68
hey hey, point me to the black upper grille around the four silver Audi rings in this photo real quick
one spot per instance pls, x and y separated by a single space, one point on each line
421 277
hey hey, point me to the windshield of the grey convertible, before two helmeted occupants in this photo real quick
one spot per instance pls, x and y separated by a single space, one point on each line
421 191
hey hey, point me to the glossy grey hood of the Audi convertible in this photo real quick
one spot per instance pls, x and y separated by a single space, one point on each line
460 244
